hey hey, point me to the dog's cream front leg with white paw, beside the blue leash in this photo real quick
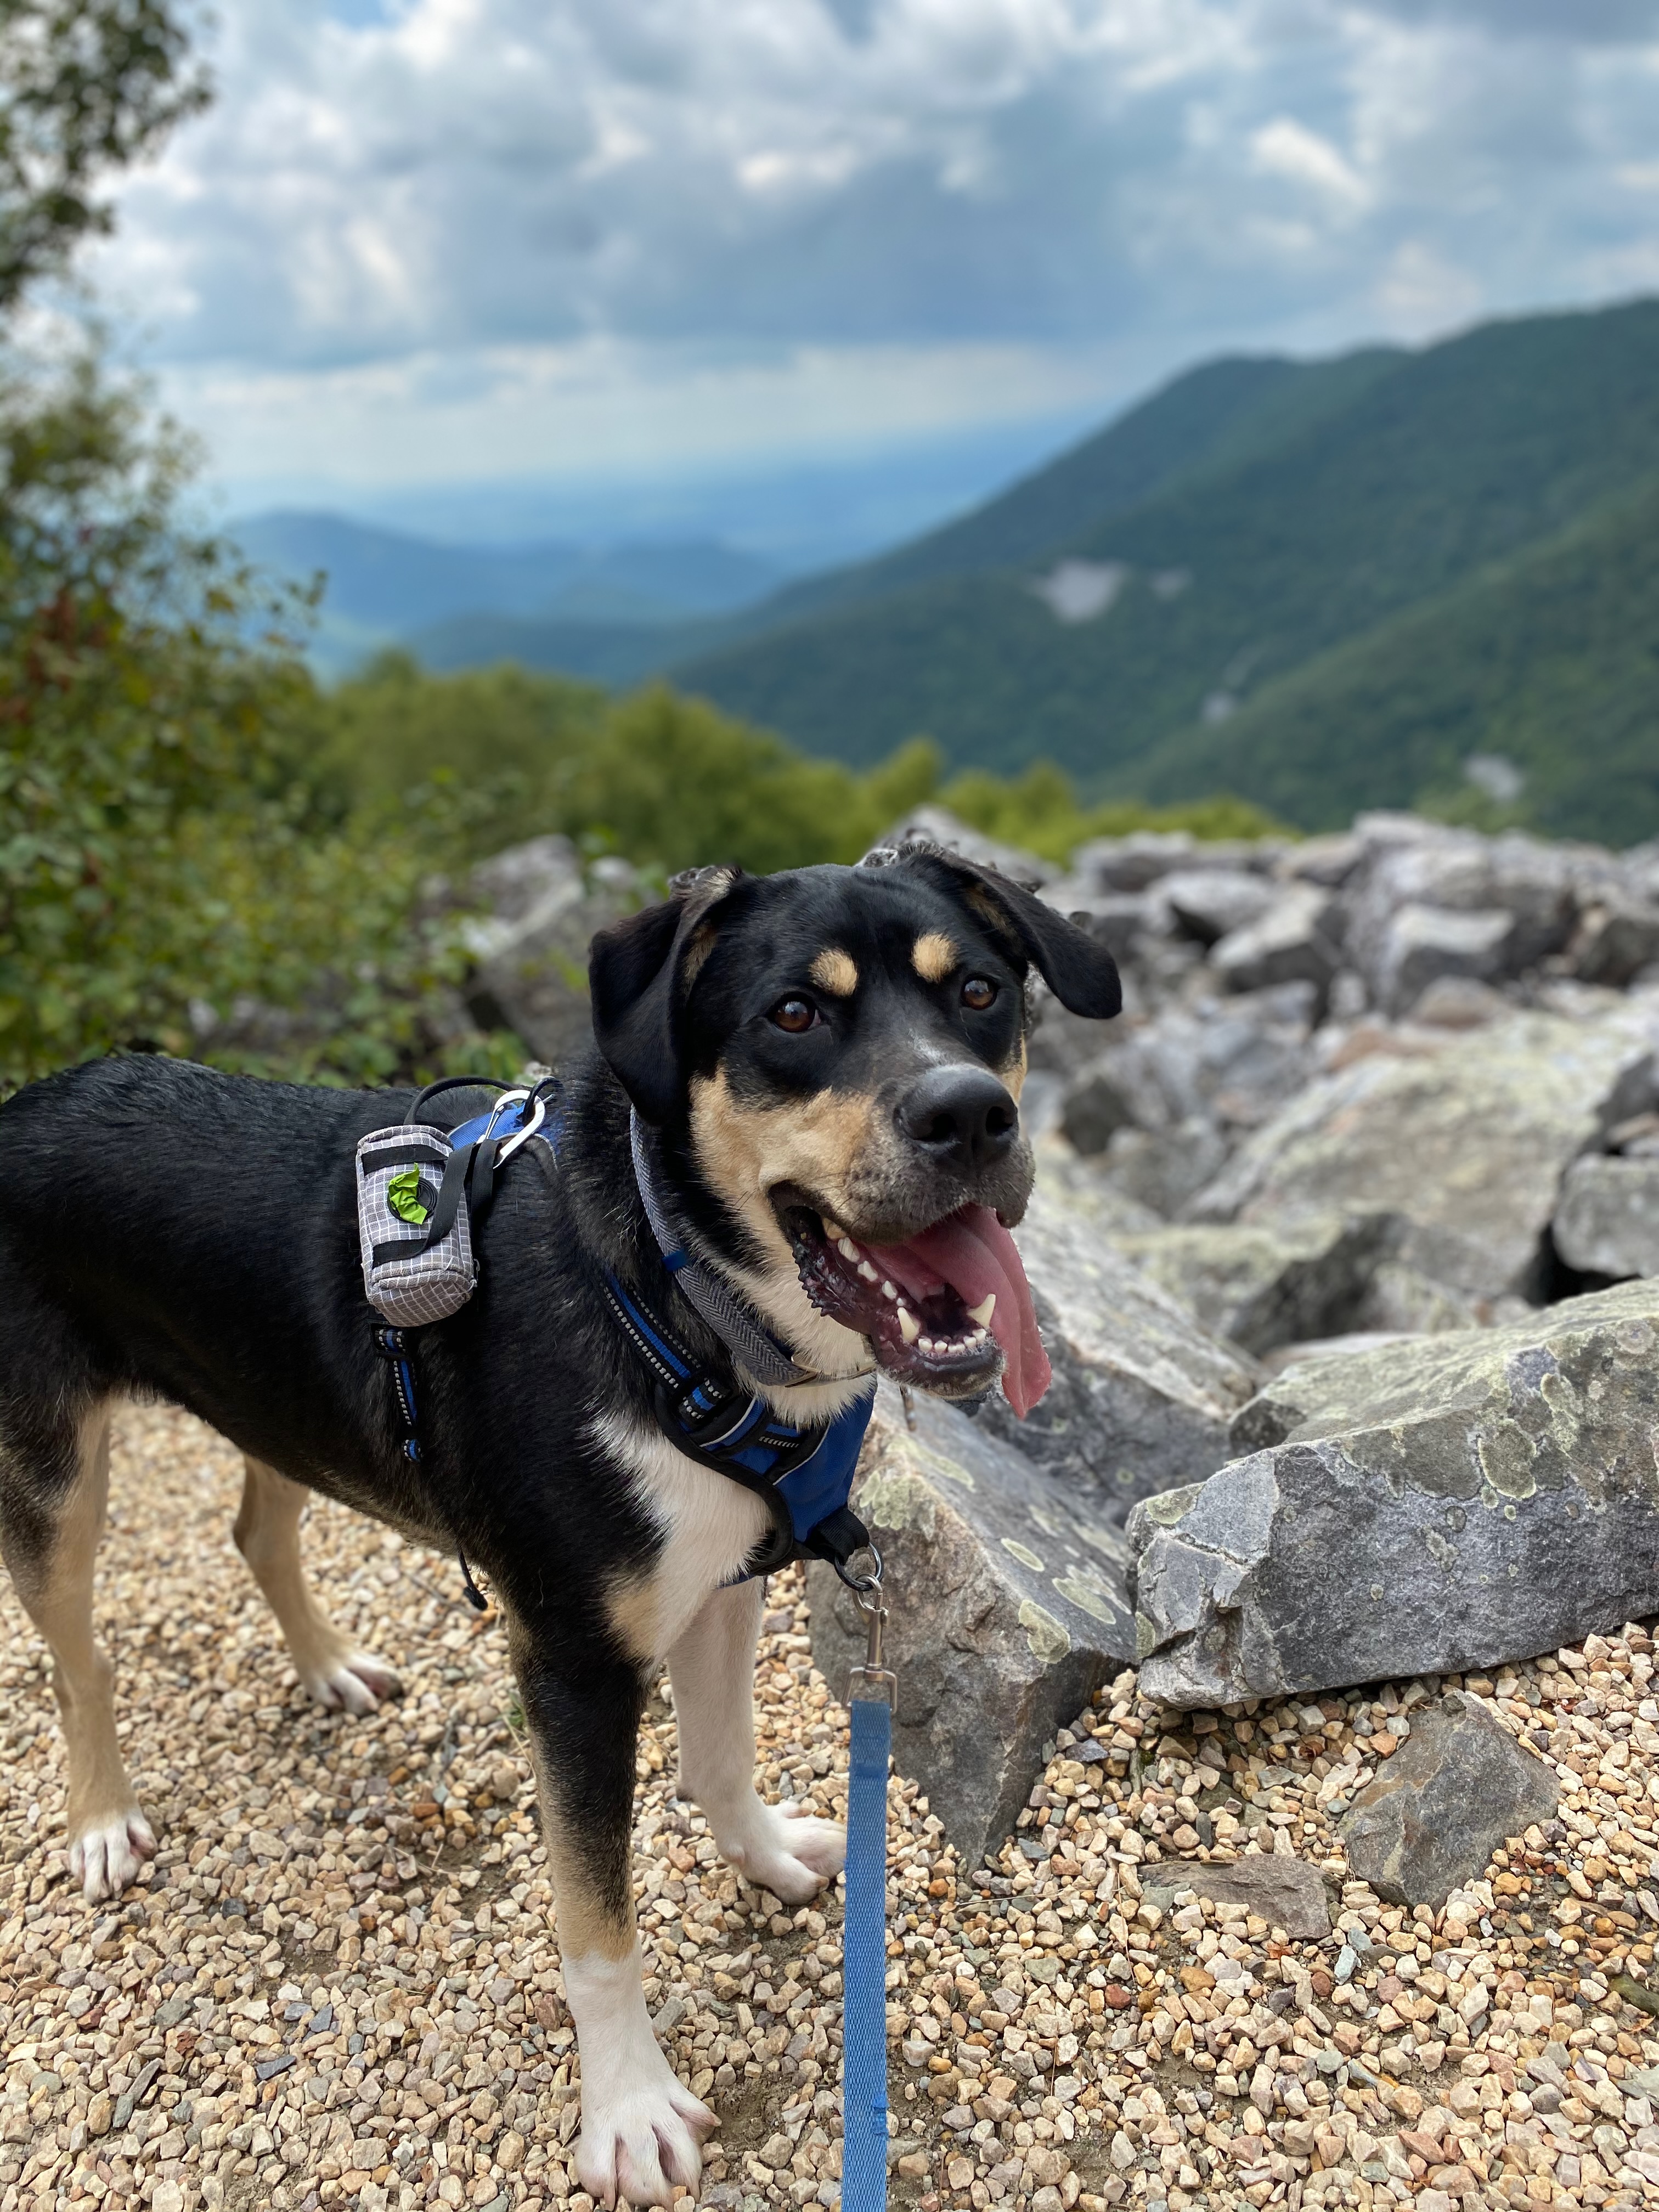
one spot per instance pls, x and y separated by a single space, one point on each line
713 1671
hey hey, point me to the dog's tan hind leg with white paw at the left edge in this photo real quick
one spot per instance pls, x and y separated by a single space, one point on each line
50 1536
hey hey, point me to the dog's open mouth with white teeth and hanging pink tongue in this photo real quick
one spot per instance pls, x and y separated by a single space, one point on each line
946 1311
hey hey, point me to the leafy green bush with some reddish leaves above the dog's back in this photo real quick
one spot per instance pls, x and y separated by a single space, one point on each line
174 870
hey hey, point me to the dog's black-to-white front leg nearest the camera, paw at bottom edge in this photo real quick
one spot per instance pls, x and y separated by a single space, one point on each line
640 2127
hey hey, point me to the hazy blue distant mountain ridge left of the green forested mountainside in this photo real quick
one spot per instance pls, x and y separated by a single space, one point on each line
390 587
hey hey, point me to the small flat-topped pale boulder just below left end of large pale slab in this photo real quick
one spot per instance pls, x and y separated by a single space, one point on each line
1269 1288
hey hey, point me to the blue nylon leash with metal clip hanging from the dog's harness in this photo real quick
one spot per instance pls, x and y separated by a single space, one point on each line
864 2007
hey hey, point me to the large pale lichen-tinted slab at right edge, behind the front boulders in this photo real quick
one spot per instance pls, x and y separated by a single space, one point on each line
1468 1142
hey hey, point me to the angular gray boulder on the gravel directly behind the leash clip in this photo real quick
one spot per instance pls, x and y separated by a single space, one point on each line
1008 1611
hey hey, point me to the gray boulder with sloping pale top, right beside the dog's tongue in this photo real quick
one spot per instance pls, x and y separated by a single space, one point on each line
1142 1397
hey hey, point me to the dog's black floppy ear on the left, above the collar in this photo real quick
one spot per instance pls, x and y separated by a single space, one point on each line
640 974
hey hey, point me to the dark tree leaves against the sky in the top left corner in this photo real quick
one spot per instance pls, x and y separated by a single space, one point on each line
85 87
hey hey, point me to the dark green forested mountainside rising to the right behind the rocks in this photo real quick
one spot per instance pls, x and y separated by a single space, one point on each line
1258 534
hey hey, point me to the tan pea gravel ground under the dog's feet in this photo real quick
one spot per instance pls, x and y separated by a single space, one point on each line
337 1983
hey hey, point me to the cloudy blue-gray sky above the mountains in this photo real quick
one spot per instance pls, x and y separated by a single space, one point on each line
430 242
